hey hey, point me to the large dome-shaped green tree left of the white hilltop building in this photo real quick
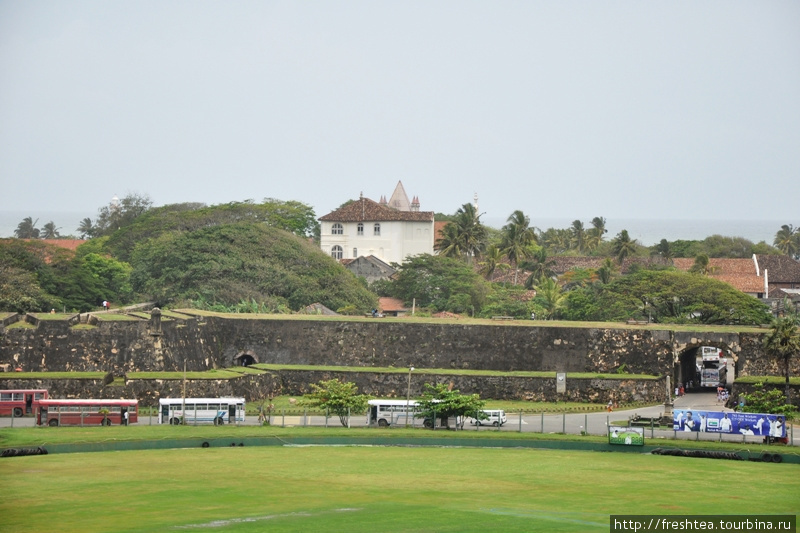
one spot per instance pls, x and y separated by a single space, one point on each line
244 261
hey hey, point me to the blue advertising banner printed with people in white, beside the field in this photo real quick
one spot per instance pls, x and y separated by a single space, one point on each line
737 423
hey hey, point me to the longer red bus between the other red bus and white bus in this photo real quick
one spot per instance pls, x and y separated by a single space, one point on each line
87 412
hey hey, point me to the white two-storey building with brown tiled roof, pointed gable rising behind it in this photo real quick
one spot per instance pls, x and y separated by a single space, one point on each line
391 231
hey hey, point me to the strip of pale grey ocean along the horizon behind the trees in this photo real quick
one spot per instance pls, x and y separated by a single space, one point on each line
647 231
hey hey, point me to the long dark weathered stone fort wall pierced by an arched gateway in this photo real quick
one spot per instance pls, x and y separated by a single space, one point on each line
211 342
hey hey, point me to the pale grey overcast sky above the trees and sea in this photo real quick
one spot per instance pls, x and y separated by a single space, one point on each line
563 109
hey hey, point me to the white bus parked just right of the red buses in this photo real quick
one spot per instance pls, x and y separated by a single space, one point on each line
215 411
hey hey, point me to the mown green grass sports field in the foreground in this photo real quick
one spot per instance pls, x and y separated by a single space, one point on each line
370 489
